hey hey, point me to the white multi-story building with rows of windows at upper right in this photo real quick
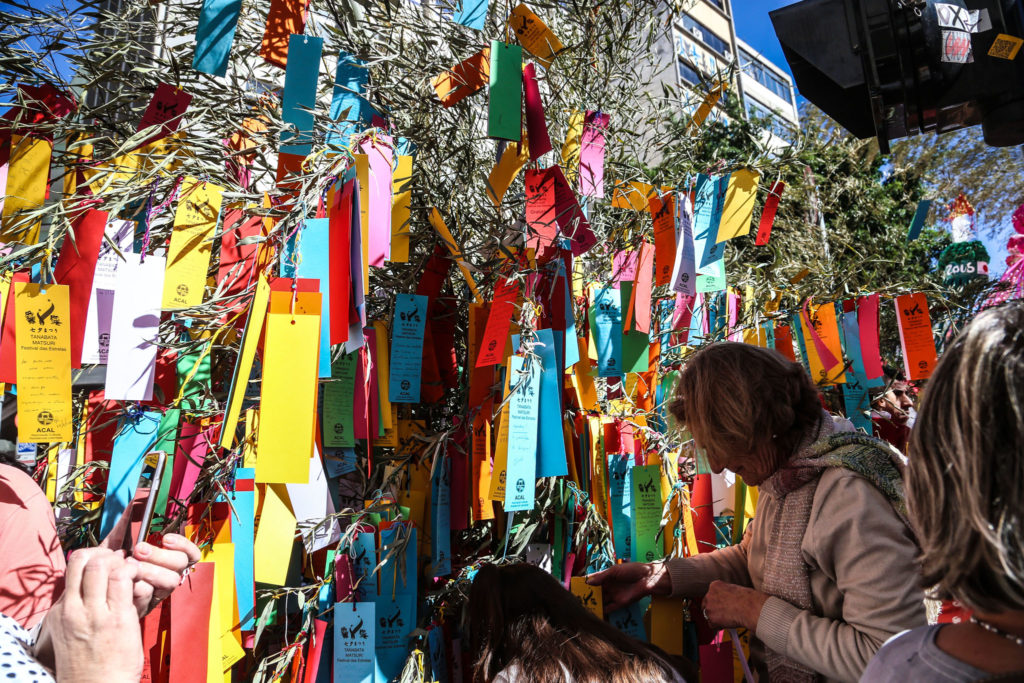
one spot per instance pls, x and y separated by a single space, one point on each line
706 48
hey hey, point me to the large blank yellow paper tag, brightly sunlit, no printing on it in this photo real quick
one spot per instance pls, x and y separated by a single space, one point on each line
288 401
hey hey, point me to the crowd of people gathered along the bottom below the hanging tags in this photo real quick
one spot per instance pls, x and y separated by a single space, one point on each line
852 538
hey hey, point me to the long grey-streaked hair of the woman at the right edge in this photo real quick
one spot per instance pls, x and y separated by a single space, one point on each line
965 488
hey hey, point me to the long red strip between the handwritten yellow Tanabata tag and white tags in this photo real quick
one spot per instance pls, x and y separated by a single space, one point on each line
75 268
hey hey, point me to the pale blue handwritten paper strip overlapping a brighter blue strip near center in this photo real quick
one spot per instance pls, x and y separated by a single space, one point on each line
521 478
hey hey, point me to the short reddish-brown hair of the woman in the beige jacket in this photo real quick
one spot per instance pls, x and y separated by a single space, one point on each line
738 398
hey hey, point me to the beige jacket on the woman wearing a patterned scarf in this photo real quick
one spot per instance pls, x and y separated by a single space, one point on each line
864 578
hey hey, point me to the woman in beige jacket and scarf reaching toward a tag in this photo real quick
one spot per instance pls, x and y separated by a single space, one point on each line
826 573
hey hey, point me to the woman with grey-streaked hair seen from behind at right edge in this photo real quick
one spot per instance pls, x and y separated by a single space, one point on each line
967 502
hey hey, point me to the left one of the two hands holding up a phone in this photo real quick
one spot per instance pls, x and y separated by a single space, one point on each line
95 627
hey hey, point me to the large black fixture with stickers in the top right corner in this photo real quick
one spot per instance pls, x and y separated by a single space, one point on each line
899 68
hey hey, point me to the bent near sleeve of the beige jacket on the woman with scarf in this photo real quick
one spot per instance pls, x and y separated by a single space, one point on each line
861 543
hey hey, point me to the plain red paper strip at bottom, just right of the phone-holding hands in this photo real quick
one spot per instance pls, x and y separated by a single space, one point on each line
191 605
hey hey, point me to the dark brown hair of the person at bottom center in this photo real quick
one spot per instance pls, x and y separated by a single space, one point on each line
521 615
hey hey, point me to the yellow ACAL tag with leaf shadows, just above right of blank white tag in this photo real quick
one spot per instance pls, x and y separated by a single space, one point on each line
192 243
